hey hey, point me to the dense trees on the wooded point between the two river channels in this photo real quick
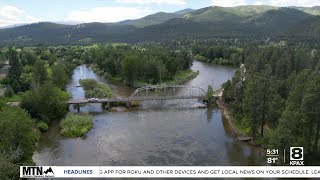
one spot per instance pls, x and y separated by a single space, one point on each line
137 65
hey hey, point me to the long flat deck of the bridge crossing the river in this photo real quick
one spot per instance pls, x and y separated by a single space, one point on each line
145 98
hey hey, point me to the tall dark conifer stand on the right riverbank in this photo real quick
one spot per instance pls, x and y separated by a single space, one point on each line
274 97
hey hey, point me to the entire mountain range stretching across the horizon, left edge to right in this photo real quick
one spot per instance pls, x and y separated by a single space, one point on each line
241 21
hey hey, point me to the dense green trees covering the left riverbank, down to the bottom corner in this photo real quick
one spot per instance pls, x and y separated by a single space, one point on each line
39 77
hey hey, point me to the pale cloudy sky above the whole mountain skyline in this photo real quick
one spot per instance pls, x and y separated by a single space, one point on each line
29 11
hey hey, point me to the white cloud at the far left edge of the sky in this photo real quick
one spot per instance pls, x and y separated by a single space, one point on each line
10 15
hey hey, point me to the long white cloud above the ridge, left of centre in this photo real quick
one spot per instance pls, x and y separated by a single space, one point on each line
107 14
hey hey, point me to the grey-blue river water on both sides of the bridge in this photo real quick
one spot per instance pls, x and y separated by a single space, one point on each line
157 133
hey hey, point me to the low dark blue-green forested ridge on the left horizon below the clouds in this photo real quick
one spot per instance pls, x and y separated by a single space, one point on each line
52 33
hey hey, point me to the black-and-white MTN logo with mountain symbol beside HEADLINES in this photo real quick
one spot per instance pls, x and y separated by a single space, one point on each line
36 171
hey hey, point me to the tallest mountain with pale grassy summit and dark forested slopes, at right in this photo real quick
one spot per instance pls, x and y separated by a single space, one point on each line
211 22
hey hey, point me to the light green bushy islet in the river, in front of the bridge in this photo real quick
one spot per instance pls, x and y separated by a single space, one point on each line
75 125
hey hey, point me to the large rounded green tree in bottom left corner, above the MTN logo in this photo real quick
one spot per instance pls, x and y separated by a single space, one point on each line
18 140
